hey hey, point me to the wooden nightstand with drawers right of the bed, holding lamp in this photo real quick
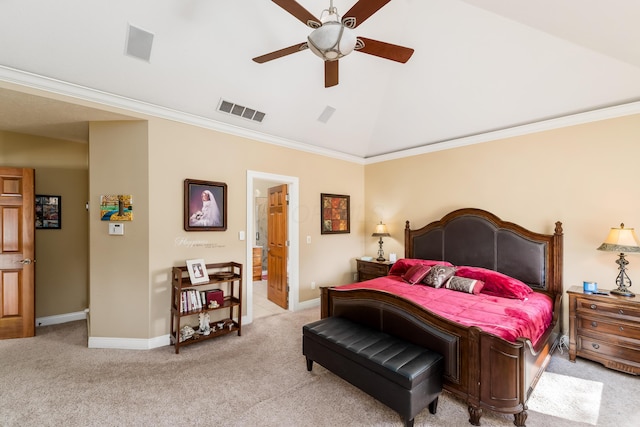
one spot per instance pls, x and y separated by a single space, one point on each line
605 329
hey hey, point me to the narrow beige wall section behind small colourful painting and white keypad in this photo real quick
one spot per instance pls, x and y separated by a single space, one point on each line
119 265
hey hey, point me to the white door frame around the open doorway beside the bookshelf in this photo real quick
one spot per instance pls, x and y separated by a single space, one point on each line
293 235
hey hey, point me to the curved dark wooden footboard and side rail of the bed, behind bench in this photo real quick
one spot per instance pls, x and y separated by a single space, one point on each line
485 371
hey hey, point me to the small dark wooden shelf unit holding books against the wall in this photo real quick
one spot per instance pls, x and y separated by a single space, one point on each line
232 302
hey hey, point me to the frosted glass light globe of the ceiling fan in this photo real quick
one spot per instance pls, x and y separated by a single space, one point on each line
331 41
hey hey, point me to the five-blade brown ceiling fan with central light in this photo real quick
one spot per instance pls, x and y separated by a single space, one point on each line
332 36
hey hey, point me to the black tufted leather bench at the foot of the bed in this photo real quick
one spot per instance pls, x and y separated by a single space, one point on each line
403 376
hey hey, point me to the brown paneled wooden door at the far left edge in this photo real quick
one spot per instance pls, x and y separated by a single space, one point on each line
17 249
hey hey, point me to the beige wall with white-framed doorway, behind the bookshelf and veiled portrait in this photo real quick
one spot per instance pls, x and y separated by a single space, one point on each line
177 152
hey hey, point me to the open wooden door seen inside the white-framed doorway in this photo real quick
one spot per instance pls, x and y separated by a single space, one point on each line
277 290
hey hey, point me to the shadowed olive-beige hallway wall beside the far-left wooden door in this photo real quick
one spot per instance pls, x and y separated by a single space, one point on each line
61 280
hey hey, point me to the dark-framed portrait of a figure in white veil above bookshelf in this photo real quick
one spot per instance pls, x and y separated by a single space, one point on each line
205 205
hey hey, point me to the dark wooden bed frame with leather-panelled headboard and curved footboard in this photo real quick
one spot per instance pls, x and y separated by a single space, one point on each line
486 371
